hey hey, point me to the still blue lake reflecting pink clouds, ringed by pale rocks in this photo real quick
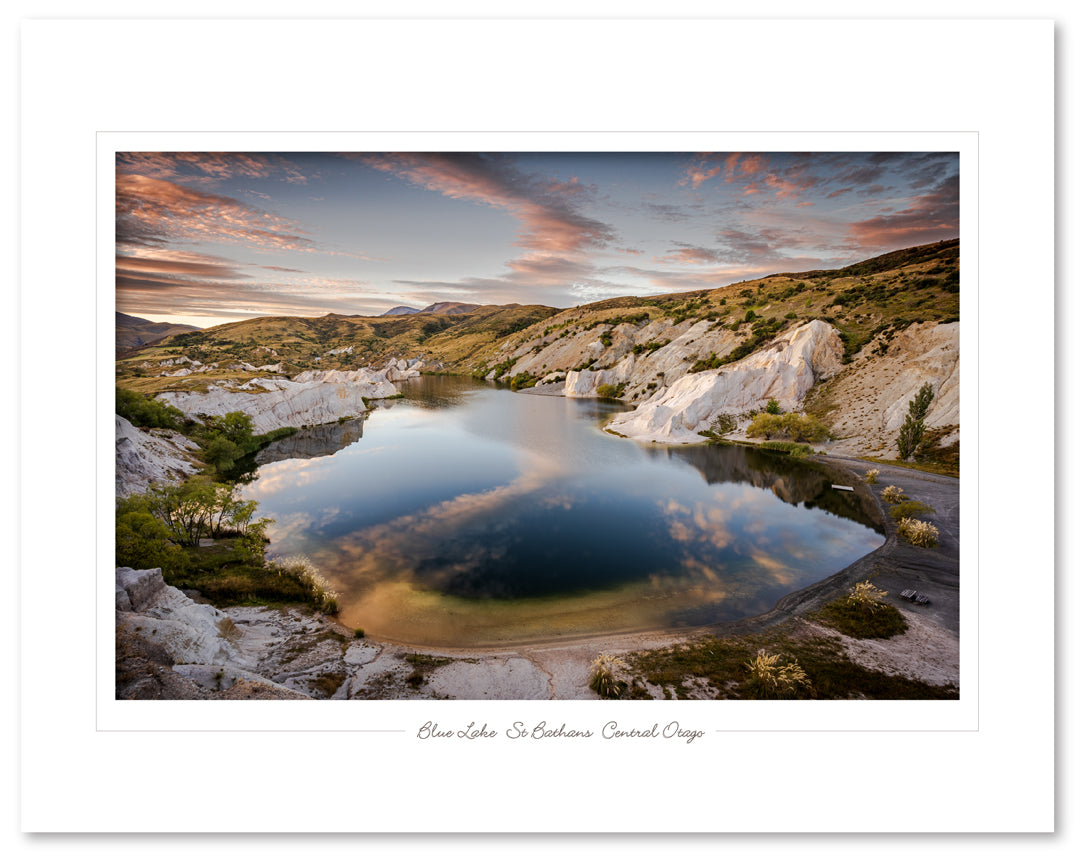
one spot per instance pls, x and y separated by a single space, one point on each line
467 515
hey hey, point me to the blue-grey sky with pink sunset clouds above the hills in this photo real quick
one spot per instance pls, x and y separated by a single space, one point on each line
210 238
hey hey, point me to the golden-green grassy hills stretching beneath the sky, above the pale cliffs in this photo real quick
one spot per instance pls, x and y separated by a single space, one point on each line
876 297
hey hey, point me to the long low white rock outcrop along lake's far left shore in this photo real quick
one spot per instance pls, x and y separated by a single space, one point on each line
314 398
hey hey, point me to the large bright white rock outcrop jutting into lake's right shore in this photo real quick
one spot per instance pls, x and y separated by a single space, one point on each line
785 370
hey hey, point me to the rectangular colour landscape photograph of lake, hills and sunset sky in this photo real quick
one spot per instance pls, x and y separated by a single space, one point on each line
526 426
